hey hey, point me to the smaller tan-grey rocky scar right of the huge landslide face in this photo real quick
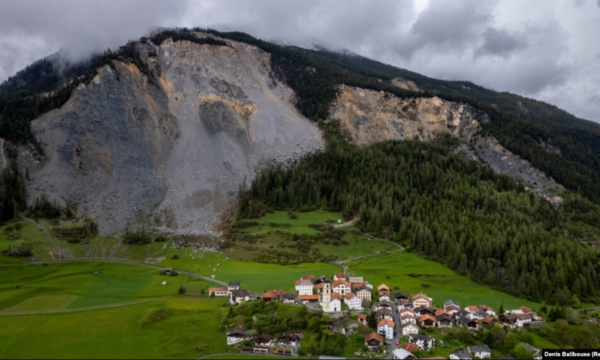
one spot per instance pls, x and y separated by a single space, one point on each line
372 116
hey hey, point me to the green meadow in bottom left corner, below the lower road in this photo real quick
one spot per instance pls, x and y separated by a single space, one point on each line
136 332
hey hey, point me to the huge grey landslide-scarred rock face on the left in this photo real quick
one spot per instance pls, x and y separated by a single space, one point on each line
173 151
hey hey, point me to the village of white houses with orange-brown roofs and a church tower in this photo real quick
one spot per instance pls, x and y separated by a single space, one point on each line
392 323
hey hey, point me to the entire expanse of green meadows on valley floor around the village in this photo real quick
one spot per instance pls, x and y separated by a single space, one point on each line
100 308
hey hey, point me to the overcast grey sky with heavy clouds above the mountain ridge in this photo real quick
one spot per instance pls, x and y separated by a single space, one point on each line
545 49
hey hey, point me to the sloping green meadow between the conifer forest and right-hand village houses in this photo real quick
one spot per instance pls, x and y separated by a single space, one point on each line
443 283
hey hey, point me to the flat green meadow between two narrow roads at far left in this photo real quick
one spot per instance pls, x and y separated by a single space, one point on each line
73 285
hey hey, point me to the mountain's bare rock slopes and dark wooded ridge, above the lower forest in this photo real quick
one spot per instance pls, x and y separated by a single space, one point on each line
168 127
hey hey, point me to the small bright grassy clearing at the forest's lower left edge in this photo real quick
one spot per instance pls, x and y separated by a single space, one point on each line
279 221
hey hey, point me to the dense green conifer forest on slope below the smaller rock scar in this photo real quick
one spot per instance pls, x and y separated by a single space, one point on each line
447 208
